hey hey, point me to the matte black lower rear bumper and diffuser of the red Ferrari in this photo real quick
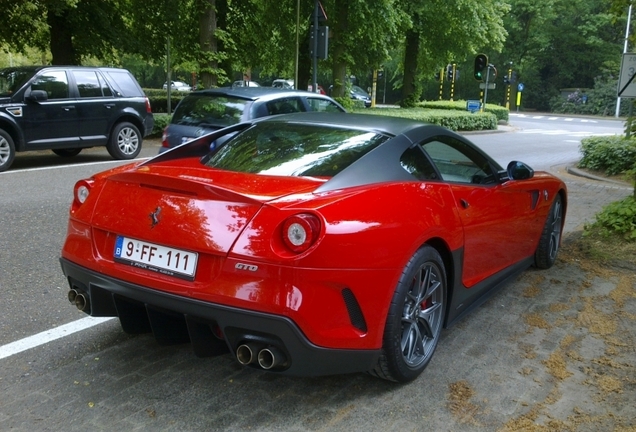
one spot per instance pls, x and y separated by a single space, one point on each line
174 318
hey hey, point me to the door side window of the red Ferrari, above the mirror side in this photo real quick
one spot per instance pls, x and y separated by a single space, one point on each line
458 162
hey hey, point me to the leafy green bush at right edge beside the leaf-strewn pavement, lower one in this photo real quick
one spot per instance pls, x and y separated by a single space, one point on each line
618 218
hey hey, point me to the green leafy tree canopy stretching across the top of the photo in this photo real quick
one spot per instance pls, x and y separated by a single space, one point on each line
552 44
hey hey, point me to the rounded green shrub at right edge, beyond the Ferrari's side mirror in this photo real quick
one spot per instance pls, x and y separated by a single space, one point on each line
610 154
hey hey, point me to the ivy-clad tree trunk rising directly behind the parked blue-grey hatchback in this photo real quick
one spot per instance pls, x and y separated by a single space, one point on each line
207 39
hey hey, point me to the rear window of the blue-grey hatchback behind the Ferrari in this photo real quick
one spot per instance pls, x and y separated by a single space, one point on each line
209 110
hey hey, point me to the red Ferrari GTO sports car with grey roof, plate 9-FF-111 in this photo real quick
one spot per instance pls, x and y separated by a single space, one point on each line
309 244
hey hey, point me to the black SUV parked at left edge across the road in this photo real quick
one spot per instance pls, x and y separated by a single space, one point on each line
67 108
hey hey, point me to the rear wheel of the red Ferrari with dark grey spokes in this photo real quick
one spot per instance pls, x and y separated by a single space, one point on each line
415 319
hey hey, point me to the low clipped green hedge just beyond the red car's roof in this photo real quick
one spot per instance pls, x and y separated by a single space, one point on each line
451 119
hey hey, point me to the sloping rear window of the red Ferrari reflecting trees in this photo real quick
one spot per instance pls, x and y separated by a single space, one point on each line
294 149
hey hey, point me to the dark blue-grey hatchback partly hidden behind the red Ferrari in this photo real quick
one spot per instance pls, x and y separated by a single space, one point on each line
205 111
